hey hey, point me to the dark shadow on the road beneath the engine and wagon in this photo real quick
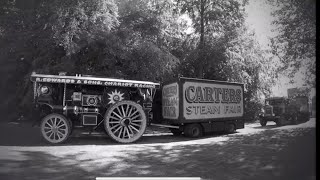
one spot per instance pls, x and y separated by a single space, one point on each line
26 135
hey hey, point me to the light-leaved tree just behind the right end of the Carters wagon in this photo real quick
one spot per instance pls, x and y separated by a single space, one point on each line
252 66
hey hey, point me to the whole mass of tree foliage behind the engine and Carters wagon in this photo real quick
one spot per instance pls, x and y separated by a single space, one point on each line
131 39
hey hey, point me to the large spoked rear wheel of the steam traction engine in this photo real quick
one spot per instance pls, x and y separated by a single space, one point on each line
125 122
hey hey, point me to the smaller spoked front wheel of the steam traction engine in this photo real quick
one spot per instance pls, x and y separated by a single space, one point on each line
55 128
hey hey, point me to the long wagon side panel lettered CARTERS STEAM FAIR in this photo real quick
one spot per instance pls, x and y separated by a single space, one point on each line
205 101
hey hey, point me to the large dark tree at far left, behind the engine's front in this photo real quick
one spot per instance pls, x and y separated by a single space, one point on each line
40 35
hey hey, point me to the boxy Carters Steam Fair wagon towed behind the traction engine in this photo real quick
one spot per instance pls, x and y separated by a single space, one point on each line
196 106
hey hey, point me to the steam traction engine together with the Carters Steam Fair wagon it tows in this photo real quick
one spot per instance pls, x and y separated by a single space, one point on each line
124 108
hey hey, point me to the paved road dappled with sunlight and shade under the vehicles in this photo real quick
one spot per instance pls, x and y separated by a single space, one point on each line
255 152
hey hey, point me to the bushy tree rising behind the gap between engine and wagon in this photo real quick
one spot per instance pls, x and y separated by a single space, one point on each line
149 32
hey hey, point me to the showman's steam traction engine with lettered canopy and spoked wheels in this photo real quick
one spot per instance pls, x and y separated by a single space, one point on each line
120 107
